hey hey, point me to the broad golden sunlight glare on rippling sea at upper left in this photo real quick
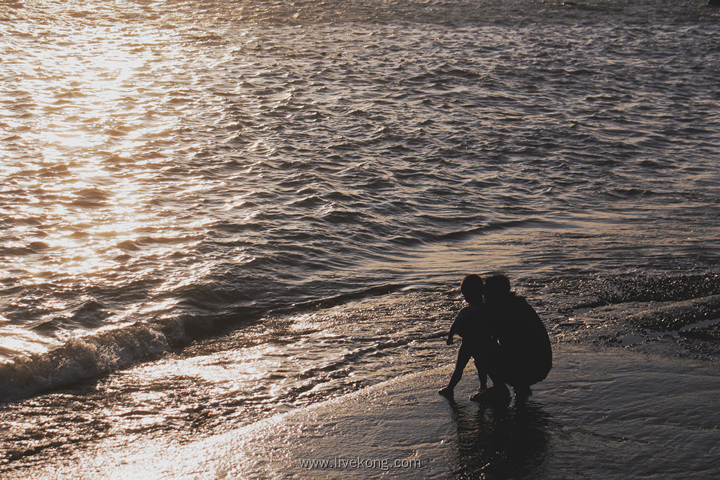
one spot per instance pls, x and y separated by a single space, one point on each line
89 130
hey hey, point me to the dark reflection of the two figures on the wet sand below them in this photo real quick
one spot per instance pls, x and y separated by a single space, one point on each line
500 443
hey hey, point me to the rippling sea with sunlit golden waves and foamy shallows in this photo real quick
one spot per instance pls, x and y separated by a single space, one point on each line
213 211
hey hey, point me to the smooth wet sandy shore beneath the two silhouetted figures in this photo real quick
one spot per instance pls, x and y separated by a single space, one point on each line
600 414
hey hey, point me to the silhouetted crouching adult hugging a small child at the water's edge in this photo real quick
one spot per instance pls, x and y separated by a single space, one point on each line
524 355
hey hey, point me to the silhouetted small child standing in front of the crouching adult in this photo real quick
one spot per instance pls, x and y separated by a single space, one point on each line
471 325
